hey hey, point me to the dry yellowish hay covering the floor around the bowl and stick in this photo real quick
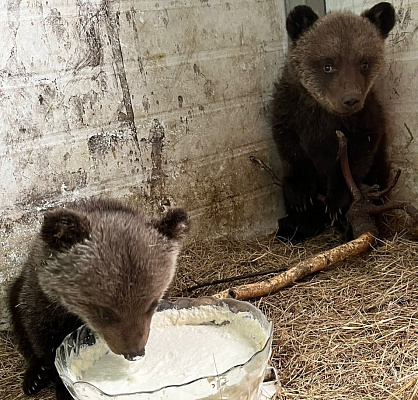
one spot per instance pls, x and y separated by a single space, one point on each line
347 333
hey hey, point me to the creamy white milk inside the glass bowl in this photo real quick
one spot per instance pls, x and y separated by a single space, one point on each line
183 345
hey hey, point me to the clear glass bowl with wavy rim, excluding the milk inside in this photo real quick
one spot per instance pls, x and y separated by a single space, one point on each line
240 382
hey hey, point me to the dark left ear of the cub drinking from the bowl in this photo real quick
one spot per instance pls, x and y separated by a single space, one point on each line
63 228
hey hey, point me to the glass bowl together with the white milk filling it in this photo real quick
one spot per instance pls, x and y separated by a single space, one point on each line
198 349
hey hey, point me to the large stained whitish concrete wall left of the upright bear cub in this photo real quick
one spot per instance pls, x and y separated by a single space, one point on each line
158 102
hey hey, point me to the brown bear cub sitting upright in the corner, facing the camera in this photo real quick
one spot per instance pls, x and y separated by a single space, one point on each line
327 85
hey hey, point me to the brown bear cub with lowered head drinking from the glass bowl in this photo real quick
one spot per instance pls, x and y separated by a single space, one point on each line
97 262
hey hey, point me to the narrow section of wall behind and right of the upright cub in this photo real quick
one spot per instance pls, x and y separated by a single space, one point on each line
398 90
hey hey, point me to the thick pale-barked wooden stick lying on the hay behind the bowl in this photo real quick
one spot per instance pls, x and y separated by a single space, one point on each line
301 269
